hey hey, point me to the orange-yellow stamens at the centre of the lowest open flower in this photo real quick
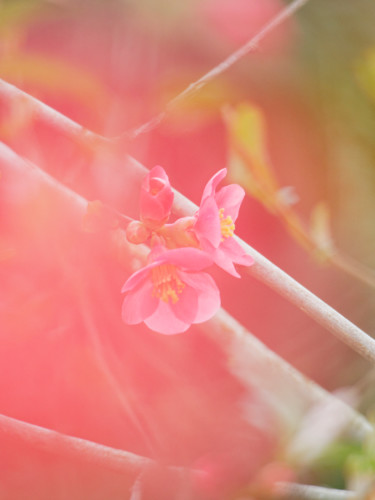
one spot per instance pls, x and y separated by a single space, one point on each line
167 285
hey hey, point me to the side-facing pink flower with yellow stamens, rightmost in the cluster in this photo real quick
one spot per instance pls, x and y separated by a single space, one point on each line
214 226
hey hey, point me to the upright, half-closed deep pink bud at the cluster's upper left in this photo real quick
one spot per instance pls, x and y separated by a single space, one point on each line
156 198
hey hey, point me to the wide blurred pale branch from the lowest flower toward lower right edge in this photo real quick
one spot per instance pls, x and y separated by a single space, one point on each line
290 393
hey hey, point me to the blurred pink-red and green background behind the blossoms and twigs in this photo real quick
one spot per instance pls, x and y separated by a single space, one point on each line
111 66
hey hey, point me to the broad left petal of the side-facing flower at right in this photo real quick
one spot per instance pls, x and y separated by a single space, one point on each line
208 222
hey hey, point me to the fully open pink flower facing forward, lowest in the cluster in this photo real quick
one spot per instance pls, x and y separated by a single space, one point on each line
171 292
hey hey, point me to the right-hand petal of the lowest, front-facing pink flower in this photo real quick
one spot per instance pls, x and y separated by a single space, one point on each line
208 294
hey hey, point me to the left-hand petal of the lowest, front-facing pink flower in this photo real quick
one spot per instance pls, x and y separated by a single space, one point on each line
139 304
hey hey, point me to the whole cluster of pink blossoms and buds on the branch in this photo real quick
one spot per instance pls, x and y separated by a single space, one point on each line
172 291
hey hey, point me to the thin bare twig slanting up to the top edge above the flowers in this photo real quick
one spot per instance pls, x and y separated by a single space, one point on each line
233 58
